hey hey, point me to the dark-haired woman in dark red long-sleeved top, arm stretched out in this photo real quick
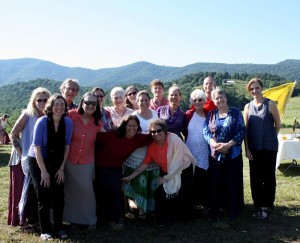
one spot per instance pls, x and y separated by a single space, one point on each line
112 149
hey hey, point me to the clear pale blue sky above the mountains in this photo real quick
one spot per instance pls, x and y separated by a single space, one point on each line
100 34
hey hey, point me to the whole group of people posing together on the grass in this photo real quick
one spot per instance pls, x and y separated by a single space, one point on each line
87 162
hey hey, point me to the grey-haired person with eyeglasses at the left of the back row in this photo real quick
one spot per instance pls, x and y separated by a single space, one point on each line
69 90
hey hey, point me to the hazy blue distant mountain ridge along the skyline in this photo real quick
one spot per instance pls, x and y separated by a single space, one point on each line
25 69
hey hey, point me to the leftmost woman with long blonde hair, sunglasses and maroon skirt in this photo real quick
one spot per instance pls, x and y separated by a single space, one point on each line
22 199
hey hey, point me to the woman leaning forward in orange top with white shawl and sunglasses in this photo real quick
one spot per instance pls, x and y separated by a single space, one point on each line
173 194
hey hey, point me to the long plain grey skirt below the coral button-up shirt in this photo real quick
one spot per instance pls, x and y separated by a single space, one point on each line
80 201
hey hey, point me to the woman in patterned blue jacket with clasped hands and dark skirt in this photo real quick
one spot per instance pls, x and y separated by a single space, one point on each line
224 131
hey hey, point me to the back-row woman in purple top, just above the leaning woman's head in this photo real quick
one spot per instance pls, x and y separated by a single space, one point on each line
174 117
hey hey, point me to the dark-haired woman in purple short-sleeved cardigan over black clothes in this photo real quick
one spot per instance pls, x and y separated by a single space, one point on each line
47 156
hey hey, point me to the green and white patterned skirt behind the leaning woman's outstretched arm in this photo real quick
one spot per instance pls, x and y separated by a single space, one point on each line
141 188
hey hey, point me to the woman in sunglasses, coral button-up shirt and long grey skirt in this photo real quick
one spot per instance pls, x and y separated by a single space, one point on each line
80 202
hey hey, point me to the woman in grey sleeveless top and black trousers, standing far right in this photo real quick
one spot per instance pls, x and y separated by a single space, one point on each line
262 127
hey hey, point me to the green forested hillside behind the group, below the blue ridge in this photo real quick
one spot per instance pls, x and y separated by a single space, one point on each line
14 98
